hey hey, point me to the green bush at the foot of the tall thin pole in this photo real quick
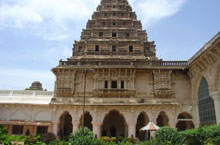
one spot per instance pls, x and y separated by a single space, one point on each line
77 138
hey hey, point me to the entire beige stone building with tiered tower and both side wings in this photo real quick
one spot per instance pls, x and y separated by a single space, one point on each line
115 68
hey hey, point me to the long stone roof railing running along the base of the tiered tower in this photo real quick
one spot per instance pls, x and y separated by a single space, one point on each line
126 63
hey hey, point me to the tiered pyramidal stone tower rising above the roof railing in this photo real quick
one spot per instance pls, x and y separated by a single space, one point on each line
114 31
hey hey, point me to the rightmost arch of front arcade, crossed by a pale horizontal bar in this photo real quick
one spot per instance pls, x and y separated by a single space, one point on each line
184 122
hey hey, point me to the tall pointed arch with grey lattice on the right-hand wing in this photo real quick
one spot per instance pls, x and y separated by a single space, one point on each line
206 104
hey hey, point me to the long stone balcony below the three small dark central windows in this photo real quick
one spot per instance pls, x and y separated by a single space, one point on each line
113 93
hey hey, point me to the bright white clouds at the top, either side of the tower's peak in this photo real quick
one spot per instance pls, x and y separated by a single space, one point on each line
50 19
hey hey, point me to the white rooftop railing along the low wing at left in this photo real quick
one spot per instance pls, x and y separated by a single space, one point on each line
26 93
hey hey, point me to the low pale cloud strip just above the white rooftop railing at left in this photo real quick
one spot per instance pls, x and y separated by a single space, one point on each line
21 79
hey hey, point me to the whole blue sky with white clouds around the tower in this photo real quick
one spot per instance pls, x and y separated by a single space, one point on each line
35 34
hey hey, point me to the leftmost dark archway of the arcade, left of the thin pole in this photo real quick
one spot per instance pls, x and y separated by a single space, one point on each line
65 126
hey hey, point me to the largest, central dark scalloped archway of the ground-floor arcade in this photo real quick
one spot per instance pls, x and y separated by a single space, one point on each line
114 125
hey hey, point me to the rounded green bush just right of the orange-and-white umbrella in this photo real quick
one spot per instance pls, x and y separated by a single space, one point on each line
169 136
